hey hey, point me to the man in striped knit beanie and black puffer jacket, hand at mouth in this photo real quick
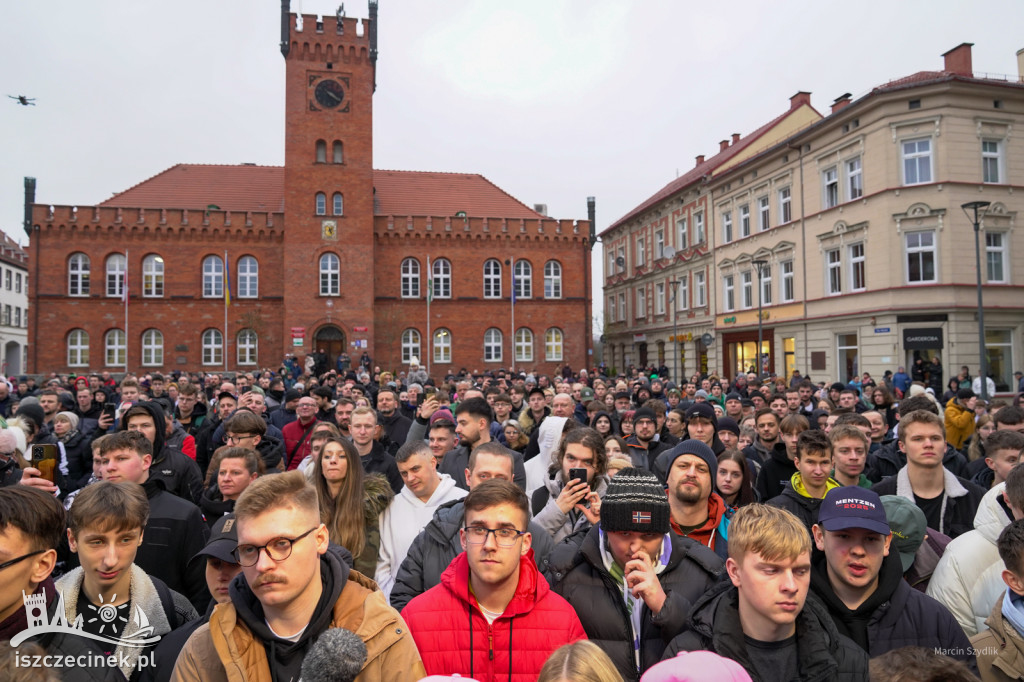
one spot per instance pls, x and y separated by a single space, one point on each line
632 575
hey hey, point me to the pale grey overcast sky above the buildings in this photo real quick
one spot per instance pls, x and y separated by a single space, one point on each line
551 101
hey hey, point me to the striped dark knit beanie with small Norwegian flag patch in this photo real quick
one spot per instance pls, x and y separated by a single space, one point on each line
636 502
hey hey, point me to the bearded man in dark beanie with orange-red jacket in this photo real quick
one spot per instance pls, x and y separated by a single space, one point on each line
698 513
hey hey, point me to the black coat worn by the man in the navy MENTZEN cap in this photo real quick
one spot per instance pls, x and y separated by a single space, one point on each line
894 617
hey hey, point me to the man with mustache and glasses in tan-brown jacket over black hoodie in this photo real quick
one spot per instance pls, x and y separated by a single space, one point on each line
294 586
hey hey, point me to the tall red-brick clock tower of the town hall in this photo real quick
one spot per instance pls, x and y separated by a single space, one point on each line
329 190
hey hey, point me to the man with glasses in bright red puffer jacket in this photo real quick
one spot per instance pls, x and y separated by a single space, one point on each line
493 617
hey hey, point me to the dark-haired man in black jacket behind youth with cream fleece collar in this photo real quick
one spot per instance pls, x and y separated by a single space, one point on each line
176 531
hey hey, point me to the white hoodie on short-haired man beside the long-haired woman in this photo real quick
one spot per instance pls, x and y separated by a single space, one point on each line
404 520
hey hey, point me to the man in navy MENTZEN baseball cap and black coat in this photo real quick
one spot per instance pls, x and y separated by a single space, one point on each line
862 582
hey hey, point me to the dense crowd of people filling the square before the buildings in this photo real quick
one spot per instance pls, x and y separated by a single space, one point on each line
315 524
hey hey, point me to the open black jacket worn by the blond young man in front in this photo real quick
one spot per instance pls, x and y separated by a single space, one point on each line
825 655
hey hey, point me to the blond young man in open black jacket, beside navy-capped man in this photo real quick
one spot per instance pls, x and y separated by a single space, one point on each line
764 618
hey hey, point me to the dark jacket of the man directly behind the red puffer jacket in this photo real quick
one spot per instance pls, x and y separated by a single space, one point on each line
434 550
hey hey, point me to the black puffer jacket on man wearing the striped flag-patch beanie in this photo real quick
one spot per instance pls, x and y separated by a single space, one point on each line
580 577
